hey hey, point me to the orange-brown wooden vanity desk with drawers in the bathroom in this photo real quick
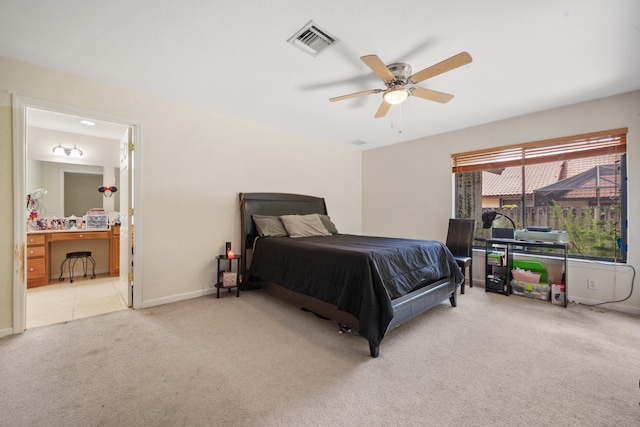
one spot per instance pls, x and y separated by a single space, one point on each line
39 250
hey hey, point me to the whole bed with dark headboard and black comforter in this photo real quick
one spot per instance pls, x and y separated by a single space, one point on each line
369 284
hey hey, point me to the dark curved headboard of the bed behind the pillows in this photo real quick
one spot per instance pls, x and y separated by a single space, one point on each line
271 204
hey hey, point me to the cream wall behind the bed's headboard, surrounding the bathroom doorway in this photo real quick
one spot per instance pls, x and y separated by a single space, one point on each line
193 164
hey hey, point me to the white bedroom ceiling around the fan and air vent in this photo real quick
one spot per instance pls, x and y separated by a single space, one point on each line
232 57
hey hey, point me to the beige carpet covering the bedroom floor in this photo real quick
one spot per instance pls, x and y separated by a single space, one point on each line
255 361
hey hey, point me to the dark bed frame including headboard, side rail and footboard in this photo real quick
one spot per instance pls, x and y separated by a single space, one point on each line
405 308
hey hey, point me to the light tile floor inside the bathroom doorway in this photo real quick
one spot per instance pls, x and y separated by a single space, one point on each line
63 301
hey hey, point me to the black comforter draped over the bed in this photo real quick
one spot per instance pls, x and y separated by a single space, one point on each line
358 274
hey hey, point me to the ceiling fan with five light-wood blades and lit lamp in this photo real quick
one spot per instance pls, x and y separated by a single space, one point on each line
398 75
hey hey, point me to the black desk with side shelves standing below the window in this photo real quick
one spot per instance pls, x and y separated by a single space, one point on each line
499 255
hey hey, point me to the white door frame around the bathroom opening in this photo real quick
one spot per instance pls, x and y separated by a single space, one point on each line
19 124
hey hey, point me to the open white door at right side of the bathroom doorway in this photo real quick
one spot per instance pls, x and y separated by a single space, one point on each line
126 217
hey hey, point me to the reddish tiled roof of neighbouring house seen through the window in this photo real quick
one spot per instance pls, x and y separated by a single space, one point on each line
508 181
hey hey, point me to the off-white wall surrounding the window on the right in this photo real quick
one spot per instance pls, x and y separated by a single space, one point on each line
407 188
